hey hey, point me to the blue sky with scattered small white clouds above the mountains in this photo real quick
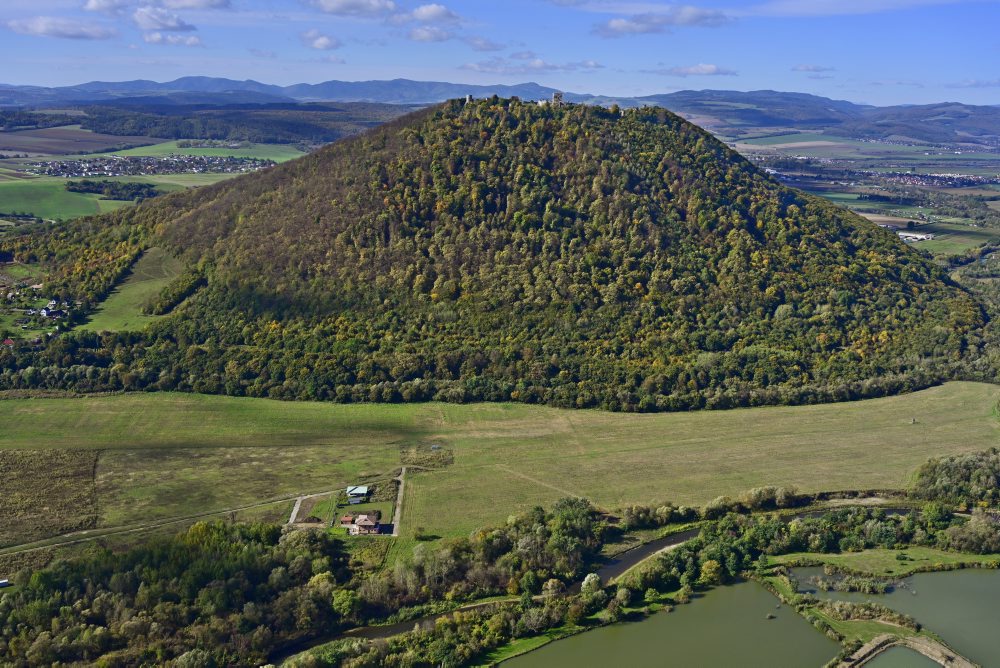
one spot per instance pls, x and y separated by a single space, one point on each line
869 51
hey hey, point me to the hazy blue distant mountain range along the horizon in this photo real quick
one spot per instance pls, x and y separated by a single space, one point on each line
724 112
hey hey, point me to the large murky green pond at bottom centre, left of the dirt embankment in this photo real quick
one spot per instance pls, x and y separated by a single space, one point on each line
728 626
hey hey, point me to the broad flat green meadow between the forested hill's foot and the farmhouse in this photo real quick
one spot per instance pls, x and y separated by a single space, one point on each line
167 455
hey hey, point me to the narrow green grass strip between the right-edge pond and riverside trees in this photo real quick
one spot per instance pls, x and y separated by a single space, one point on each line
884 562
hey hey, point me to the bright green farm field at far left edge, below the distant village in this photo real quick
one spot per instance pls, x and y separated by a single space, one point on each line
48 198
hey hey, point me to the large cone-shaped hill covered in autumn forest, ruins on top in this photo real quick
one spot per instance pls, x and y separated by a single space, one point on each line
571 255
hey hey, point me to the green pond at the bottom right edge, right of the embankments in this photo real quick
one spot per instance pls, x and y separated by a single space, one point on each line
962 607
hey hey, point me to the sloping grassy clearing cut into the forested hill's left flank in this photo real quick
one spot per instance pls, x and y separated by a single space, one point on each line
122 310
